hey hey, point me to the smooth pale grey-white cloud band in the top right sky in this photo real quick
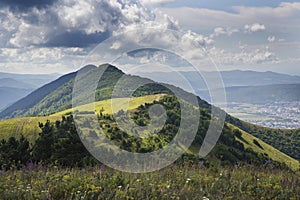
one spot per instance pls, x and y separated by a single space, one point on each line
285 17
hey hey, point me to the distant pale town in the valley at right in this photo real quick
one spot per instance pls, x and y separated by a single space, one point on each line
284 115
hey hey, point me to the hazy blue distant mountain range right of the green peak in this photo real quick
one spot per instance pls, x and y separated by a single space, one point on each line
240 86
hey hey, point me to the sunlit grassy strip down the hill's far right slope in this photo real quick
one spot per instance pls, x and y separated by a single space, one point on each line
268 149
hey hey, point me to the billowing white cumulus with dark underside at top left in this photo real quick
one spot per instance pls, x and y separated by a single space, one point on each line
70 23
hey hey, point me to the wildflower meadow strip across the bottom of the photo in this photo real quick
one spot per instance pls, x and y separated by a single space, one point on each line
173 182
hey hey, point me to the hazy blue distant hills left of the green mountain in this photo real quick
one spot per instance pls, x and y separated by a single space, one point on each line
16 86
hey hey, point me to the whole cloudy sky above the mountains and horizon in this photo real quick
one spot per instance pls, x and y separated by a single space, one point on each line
59 36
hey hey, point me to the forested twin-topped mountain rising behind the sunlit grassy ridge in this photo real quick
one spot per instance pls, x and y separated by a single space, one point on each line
57 95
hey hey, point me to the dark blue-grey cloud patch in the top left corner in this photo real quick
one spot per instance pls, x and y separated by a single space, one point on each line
19 5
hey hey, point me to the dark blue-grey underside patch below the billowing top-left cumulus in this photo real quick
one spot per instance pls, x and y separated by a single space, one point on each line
77 39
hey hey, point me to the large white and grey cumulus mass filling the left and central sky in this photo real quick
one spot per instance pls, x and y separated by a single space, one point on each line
60 31
